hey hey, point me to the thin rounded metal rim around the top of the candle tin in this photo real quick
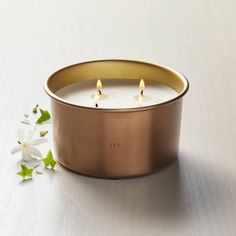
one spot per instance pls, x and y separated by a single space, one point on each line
135 109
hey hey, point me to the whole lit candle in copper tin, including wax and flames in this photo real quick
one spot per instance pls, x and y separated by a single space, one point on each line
116 118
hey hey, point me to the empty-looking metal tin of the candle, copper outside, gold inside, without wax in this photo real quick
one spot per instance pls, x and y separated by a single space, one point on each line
116 143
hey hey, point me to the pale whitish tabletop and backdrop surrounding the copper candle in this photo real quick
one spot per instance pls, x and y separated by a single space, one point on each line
194 196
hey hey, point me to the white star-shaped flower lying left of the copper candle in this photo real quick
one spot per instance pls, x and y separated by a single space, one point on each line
26 145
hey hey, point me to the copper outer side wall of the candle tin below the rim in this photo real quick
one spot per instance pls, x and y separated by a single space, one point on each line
116 144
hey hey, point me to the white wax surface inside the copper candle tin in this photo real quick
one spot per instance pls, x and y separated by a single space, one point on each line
116 93
